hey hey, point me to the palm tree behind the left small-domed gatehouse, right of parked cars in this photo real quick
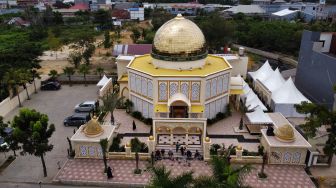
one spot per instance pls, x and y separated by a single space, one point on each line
110 102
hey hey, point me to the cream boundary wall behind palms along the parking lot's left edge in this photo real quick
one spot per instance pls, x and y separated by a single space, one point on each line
9 104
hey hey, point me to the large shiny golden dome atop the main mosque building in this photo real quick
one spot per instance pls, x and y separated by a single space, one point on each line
179 39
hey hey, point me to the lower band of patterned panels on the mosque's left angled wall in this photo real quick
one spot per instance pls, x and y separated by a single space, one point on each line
142 106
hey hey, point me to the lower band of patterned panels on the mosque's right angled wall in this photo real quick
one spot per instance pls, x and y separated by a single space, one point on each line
214 107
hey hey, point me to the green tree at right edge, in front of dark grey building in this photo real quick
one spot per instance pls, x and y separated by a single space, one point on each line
317 116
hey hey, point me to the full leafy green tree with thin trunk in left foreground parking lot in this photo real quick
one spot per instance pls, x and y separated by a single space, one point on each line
33 133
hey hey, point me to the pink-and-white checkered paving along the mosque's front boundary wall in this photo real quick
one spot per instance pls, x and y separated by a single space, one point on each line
90 171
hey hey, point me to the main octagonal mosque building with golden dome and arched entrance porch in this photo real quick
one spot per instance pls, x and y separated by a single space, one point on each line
179 85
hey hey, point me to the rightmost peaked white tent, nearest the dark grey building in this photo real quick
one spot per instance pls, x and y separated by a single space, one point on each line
285 97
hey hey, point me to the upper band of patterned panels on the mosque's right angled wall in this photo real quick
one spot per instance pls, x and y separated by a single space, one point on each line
217 86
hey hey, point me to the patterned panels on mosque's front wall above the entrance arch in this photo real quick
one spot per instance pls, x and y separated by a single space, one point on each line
191 89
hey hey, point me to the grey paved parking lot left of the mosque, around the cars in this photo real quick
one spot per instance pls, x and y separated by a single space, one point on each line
57 105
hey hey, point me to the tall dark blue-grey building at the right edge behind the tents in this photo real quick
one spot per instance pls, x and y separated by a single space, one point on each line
316 71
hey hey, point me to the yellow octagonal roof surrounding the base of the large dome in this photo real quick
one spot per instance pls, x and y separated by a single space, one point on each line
213 65
